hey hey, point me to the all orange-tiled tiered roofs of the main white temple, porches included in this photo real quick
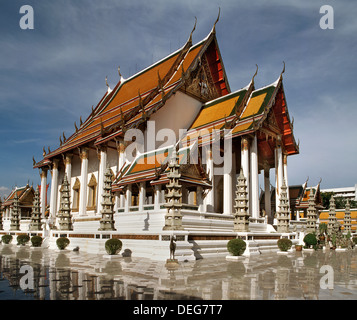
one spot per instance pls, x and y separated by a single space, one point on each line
197 71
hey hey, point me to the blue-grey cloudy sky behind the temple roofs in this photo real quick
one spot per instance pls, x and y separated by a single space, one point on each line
53 74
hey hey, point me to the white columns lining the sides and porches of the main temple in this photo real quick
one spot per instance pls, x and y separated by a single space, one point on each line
249 163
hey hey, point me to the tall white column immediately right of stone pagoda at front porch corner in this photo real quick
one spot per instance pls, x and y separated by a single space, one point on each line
254 178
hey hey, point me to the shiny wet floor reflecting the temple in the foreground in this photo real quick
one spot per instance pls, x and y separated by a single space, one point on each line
28 273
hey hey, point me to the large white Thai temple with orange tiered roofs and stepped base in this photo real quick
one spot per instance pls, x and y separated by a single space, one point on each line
173 151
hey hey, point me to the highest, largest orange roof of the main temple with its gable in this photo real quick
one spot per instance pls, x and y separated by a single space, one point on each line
132 101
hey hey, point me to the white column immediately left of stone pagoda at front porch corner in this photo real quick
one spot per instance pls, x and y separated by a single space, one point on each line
228 182
